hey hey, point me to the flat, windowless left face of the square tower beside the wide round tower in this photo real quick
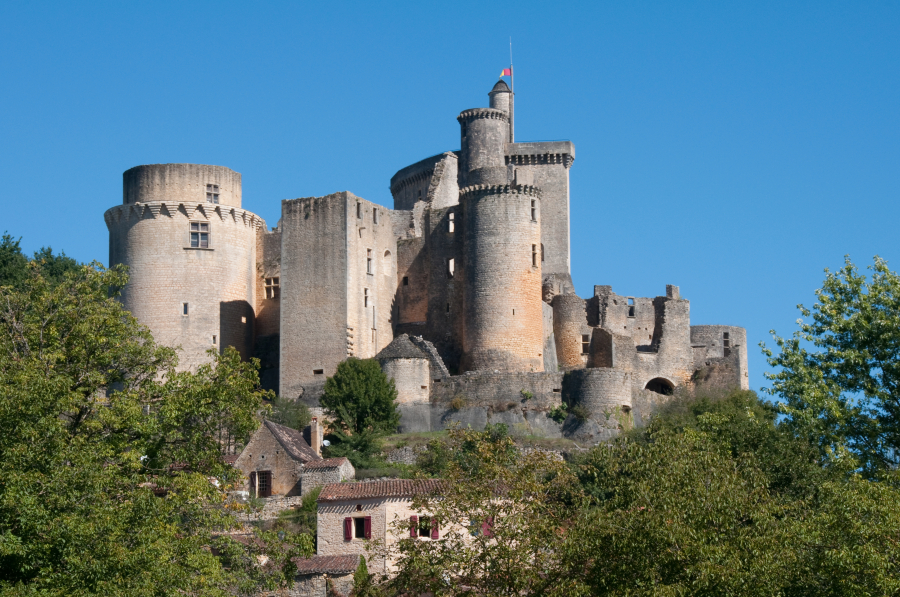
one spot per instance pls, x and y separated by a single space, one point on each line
314 273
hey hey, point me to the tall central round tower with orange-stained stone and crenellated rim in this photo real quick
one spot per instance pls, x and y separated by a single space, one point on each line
502 268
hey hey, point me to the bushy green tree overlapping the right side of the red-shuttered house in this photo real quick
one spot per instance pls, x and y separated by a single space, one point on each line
505 525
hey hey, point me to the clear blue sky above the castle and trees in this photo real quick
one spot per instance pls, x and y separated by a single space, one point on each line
733 148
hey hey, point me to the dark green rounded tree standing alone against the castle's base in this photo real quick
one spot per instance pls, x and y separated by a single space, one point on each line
362 404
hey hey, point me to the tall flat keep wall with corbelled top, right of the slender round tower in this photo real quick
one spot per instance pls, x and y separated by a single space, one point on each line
546 165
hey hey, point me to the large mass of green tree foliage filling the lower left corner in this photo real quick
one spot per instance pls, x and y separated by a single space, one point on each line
95 423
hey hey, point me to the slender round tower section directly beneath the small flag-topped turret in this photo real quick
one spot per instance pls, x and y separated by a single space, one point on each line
483 133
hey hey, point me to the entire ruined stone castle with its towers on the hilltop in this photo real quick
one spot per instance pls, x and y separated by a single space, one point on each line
462 291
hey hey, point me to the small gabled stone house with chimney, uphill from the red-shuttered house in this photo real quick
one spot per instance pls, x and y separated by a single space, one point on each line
279 461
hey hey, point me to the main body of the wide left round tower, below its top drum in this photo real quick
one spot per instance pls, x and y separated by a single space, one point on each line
217 283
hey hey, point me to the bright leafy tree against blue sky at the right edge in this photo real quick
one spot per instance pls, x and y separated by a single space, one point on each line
838 376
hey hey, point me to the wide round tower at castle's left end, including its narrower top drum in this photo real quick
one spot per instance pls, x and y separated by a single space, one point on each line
191 253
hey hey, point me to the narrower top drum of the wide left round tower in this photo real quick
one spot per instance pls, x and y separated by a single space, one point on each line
187 183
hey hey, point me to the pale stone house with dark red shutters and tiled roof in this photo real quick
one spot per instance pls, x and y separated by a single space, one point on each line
351 514
